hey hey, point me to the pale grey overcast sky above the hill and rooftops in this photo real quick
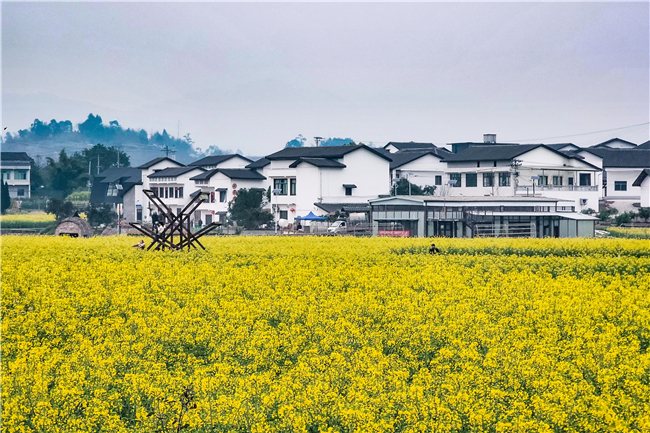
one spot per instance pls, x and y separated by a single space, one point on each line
252 76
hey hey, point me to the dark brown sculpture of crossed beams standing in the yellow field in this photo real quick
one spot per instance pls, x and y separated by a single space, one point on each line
179 224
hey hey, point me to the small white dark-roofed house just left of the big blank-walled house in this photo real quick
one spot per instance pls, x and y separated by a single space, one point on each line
220 186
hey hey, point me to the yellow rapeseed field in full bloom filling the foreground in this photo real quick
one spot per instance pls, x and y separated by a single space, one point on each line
282 334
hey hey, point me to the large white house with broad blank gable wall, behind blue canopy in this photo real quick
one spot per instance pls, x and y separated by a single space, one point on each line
306 176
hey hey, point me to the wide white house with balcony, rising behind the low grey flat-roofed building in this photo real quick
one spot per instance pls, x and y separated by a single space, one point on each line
522 170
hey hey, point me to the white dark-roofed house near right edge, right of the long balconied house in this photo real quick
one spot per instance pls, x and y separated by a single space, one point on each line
621 167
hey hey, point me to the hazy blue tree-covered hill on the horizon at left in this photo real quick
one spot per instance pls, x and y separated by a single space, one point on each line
46 139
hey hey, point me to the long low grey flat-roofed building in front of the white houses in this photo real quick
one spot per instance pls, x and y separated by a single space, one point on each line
462 216
